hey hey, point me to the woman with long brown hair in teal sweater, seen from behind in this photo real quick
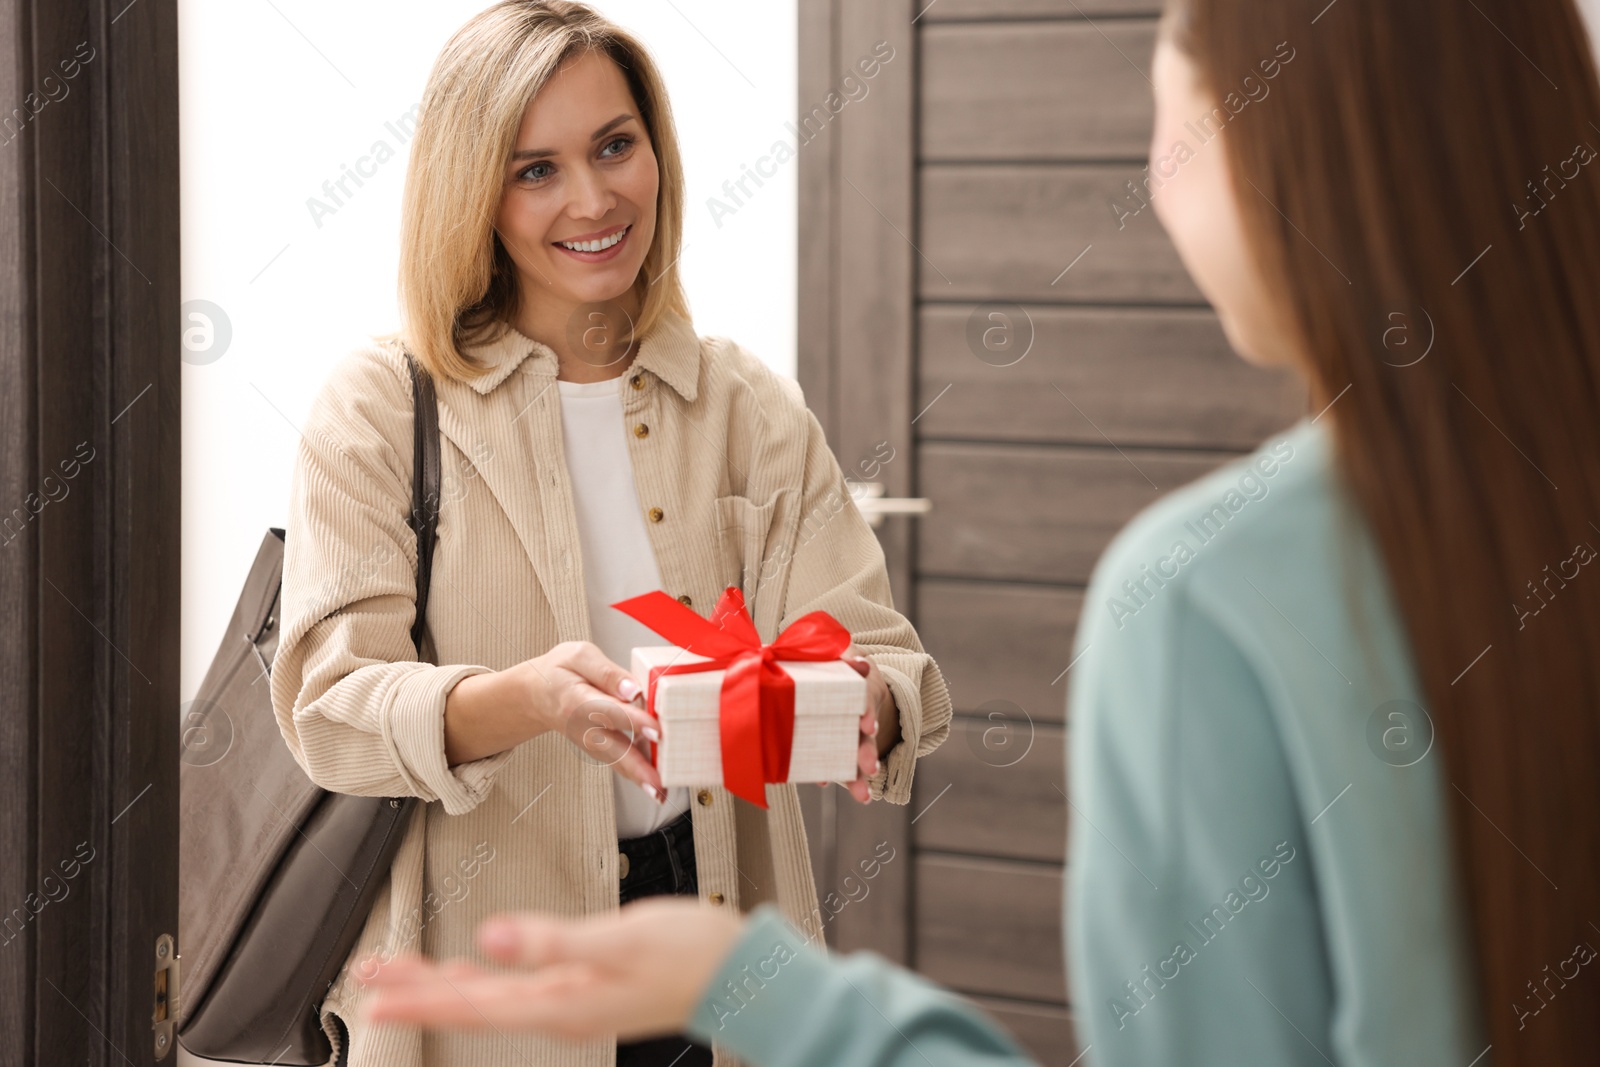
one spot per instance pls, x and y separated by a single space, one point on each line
1337 725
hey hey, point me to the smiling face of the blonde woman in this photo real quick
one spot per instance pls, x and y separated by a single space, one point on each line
583 174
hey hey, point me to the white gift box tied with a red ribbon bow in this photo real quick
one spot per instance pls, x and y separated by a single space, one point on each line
740 713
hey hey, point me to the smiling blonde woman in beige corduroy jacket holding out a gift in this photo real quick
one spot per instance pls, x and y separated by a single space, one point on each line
594 449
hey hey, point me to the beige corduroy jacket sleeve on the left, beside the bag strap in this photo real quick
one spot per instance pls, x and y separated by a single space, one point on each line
358 709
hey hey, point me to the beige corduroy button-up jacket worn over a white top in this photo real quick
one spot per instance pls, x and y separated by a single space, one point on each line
740 489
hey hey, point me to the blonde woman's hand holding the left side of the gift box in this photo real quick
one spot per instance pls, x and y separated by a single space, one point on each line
588 700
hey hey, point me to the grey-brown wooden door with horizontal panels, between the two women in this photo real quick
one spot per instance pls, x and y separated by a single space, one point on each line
982 290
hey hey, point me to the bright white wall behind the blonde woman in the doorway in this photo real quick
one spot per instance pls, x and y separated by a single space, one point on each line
278 98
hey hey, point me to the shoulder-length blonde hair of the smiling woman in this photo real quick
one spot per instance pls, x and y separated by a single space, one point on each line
458 284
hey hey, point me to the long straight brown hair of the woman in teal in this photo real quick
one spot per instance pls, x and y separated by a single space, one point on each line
1426 167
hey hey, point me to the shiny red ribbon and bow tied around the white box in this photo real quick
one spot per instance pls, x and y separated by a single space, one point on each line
758 721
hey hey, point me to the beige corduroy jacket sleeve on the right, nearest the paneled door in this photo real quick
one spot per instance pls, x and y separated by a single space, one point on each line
839 567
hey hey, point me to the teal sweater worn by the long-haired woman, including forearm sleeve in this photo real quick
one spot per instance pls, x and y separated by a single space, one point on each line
1258 868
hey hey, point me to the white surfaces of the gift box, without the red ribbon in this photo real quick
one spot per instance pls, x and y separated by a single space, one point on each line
830 703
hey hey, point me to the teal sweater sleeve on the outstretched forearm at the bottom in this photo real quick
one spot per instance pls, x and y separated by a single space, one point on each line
780 1002
